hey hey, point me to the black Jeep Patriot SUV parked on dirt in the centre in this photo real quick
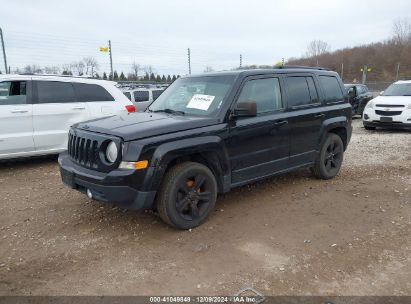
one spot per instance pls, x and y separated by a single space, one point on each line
207 134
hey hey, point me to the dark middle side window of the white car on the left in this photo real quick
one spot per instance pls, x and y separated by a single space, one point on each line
55 92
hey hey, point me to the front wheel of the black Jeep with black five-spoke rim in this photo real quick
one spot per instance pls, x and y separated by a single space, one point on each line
187 195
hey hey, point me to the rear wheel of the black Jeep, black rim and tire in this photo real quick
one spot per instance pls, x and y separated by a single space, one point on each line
329 160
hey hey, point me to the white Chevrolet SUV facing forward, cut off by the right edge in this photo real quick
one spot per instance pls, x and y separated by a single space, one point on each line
391 109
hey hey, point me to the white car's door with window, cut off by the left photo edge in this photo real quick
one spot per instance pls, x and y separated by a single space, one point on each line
16 125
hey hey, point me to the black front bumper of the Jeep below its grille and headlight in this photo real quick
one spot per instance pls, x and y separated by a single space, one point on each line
117 186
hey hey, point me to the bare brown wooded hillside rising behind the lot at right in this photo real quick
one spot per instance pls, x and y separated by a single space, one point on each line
388 60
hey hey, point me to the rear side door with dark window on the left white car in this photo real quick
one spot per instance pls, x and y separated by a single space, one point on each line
54 111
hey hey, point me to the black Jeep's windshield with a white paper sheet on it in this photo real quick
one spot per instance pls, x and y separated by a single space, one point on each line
202 95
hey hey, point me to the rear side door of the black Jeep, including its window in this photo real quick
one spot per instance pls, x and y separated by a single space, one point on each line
305 117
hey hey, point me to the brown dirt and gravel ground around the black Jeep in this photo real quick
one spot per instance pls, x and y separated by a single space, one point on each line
288 235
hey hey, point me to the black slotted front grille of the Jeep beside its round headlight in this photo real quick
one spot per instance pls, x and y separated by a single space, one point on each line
83 151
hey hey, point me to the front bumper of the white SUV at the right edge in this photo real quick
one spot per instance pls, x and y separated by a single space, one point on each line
372 119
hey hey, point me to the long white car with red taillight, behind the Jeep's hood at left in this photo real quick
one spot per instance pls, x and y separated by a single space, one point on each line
37 111
